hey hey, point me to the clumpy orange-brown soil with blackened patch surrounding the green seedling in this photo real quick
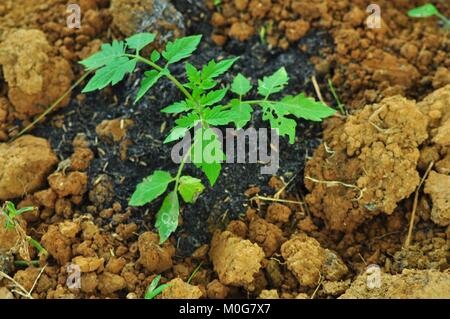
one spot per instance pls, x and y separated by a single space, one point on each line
344 194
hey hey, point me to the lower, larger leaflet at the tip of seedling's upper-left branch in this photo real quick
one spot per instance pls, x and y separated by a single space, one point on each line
112 73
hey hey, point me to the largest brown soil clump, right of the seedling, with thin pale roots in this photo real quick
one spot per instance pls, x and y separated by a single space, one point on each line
367 165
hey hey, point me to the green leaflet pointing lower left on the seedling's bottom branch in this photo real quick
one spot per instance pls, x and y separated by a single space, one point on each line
152 187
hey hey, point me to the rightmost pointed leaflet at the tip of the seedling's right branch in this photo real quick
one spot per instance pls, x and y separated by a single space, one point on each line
304 107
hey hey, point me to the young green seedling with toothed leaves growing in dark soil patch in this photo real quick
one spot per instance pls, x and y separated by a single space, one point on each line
202 108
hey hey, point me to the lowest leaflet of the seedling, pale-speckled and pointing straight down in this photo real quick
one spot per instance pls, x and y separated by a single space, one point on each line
167 216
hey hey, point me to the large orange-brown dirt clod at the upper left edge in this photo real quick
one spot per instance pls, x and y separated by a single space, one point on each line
35 76
